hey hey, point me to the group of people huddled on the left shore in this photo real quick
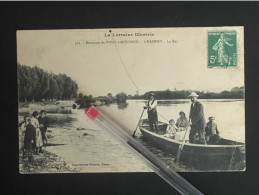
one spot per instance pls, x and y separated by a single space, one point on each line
33 134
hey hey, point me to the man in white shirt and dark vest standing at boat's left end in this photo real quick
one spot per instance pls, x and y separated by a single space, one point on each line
152 113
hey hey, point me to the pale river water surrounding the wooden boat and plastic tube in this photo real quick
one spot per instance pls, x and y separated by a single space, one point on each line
90 149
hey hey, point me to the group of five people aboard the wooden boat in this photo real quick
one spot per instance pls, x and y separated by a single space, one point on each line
200 131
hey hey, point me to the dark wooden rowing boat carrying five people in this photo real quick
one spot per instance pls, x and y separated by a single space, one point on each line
229 155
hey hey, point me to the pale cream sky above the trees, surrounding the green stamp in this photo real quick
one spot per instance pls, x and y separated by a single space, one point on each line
100 68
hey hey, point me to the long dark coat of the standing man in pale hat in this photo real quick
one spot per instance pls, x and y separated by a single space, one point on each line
197 117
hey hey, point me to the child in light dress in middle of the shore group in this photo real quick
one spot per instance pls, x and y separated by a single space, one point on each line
38 141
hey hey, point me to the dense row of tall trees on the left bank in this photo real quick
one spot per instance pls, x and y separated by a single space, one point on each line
35 84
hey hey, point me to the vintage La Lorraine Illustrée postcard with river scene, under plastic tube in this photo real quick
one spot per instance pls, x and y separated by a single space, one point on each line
178 91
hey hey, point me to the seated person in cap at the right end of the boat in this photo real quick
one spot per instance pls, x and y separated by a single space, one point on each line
212 133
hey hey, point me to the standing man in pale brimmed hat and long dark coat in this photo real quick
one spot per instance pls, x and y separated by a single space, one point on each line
197 119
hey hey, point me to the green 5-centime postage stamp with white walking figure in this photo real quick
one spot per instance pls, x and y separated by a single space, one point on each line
222 49
